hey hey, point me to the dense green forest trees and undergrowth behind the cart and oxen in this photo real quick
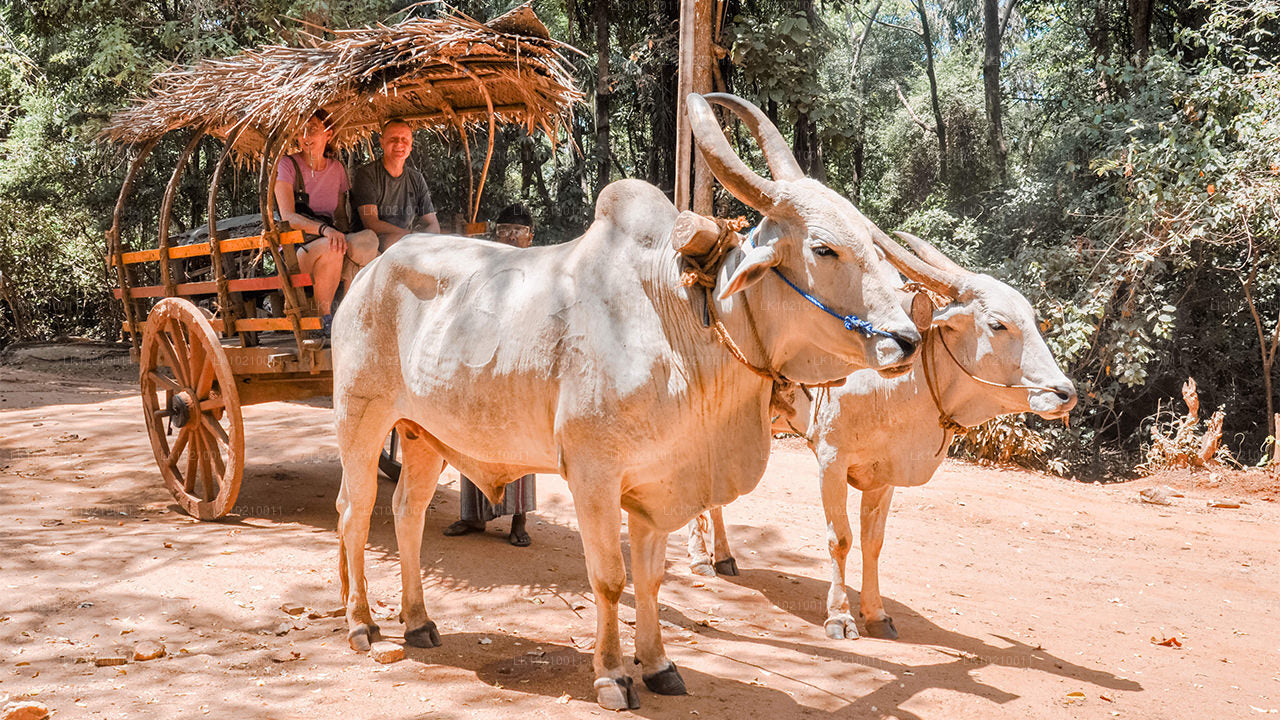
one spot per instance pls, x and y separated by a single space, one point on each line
1118 161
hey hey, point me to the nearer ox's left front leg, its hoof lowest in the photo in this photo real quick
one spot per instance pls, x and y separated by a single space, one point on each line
600 518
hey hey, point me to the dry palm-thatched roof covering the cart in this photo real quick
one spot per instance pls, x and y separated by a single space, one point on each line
436 74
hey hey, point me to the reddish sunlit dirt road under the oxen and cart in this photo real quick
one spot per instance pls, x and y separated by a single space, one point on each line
1017 595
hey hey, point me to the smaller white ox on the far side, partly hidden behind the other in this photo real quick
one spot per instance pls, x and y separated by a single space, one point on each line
982 358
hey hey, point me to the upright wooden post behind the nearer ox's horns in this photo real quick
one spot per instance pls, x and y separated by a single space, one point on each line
696 76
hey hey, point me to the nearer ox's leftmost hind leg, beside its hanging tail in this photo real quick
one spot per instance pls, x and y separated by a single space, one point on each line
355 509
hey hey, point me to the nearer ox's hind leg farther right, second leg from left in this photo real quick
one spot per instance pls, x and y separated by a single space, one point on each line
422 470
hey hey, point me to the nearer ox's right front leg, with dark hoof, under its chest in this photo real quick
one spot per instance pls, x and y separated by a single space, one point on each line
648 564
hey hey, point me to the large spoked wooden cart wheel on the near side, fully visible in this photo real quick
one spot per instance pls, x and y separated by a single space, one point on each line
193 409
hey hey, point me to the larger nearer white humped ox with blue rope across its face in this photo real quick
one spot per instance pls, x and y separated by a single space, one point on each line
591 359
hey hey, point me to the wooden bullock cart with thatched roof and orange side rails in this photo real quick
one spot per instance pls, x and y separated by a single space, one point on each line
194 306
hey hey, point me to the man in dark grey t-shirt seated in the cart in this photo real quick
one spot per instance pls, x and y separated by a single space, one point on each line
394 199
